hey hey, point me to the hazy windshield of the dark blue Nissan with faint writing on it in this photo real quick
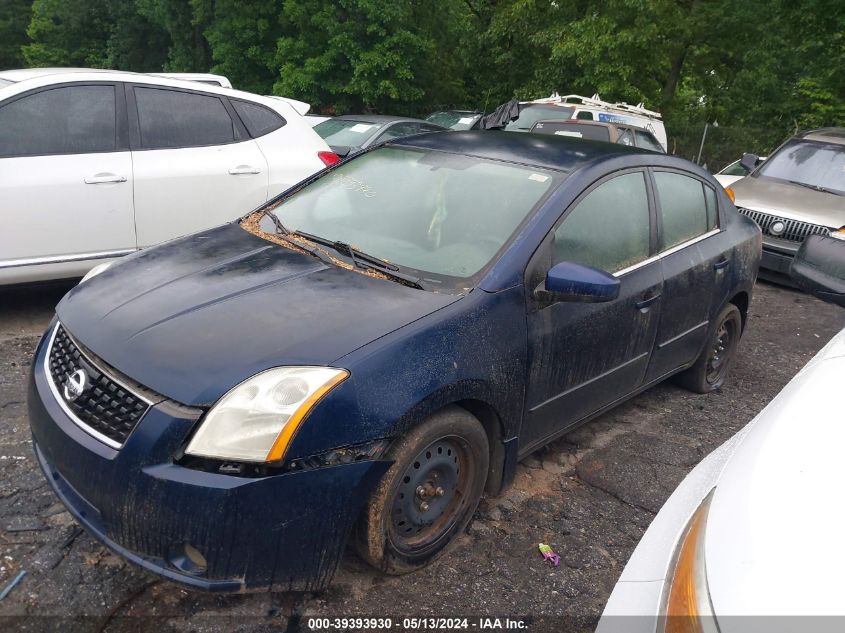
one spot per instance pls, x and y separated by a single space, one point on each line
432 212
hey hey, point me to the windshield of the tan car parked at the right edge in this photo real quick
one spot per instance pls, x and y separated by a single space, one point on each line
812 164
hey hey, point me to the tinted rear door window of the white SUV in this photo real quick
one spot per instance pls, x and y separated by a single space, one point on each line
170 118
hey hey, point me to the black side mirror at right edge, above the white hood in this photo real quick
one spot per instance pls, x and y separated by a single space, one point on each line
819 268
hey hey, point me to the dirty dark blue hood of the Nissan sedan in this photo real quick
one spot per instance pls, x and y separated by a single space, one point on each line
194 317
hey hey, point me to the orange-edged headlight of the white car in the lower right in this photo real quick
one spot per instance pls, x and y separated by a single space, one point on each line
688 608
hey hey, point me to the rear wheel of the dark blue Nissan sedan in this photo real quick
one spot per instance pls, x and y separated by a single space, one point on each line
711 367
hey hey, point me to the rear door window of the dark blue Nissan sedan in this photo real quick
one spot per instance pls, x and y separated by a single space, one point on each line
683 208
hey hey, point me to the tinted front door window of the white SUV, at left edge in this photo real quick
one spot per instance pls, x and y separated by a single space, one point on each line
66 120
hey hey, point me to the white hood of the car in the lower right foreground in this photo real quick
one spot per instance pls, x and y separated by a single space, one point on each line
774 529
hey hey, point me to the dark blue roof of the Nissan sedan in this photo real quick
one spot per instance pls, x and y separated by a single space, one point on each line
562 153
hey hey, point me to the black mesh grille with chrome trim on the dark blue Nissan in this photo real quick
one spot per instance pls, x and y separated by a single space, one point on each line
105 408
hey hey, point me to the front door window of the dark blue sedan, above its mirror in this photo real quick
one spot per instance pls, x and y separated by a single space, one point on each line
609 229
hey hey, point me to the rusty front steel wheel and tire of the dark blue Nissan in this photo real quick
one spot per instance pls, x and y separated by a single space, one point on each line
428 495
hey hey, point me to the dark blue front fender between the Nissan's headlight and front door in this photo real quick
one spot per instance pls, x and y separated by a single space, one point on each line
472 349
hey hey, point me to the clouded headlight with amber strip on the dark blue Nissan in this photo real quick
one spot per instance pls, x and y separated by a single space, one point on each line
255 421
